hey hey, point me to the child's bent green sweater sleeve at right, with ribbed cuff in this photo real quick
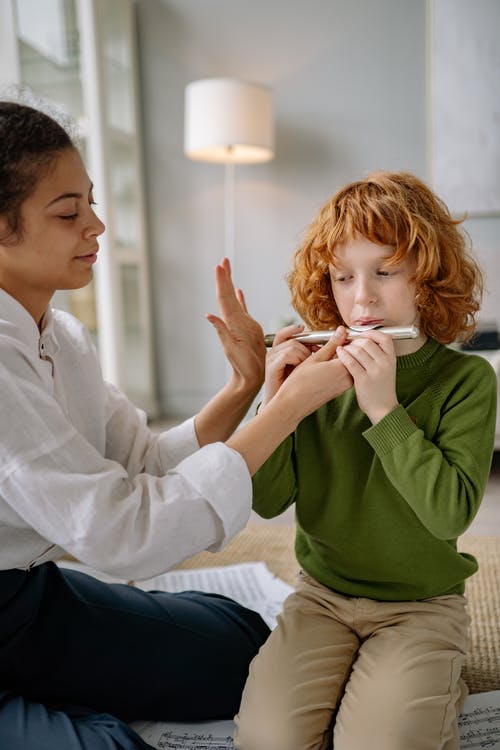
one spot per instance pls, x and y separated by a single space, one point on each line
443 477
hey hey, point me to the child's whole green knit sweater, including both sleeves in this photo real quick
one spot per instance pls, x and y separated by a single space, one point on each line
379 507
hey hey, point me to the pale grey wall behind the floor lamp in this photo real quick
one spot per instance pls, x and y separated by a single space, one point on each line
349 81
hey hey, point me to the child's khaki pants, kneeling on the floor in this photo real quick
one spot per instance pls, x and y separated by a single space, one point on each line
363 674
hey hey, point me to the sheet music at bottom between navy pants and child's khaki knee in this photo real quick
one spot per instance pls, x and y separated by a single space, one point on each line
209 735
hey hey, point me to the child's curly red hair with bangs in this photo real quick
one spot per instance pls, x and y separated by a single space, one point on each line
398 210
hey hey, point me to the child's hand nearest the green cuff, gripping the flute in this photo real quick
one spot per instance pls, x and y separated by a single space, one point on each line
371 361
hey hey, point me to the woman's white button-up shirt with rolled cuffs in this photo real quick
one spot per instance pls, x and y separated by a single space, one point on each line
81 472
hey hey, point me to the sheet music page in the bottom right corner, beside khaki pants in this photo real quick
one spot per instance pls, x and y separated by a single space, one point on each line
479 722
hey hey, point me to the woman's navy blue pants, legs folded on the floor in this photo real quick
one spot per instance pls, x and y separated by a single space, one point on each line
79 658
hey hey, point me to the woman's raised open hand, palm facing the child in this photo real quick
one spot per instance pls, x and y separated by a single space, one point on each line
241 336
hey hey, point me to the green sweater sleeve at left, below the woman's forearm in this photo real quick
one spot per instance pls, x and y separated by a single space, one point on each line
274 484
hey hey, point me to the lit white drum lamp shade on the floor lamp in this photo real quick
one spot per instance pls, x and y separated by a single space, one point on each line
228 121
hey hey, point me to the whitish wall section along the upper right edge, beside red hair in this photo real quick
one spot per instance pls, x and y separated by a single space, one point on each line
465 139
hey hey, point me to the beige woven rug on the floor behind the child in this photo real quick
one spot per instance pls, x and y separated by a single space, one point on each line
275 546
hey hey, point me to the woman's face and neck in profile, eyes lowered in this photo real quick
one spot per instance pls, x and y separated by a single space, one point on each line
58 246
